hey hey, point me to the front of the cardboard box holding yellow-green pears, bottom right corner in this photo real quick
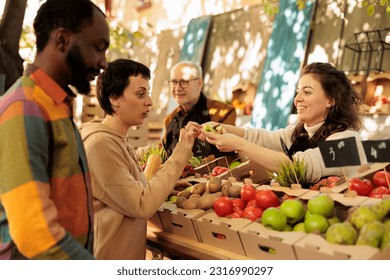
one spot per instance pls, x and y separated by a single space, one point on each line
315 247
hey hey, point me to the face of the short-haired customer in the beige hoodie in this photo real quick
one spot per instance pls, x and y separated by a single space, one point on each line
133 107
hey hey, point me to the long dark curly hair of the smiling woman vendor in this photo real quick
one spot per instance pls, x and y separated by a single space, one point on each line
344 114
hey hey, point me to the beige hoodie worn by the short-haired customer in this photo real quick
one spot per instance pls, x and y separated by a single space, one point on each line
123 199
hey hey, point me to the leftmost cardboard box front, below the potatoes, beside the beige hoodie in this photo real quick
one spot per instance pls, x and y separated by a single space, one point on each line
180 221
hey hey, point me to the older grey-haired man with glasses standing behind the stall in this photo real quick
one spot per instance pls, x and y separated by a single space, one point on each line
186 84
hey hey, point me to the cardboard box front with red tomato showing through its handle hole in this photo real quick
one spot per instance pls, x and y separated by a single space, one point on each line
222 232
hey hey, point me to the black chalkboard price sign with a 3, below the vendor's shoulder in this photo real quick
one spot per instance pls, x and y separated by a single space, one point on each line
340 152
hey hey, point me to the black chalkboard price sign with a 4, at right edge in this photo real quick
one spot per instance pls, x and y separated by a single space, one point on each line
377 150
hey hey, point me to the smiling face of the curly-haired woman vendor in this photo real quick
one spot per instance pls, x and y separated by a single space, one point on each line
311 101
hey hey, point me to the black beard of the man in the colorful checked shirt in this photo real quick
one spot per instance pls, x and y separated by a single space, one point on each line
79 71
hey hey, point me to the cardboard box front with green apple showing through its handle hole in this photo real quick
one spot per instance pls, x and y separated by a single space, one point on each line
262 243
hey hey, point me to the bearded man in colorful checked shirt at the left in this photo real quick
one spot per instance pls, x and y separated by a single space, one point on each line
45 194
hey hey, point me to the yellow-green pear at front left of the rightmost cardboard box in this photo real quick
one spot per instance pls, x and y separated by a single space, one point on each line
341 233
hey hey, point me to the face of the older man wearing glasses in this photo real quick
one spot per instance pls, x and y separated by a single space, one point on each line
189 95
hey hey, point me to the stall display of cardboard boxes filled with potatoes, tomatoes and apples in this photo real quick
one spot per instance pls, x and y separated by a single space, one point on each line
329 222
